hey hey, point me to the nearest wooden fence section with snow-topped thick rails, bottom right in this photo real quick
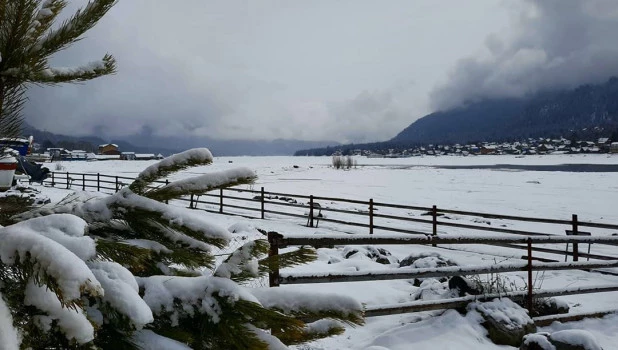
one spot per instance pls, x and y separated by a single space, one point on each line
278 241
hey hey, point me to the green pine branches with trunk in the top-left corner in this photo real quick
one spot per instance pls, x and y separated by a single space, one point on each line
27 41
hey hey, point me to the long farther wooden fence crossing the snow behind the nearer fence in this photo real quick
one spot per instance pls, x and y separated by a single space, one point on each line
362 216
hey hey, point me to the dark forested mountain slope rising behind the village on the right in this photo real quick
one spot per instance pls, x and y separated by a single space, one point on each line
543 114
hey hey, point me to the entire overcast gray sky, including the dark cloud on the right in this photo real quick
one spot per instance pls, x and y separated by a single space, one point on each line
349 71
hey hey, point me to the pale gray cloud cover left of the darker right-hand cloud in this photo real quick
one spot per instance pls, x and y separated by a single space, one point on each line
314 70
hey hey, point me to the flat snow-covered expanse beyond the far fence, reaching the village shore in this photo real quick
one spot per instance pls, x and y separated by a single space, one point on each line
421 181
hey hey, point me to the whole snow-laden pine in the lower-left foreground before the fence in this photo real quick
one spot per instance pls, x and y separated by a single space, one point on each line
129 271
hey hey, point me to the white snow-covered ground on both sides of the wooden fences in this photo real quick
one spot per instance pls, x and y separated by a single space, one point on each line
421 182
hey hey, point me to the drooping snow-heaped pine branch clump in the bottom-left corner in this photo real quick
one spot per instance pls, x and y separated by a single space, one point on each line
42 267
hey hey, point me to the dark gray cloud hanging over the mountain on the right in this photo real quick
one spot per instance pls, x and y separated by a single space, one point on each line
553 44
